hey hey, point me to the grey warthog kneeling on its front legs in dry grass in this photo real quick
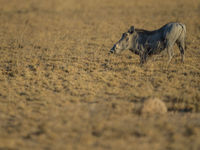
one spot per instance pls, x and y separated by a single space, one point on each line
146 43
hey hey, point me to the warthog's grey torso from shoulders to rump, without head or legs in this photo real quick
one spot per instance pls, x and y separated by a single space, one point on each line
157 40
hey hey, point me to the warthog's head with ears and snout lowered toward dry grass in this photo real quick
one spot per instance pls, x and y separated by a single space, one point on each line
125 42
